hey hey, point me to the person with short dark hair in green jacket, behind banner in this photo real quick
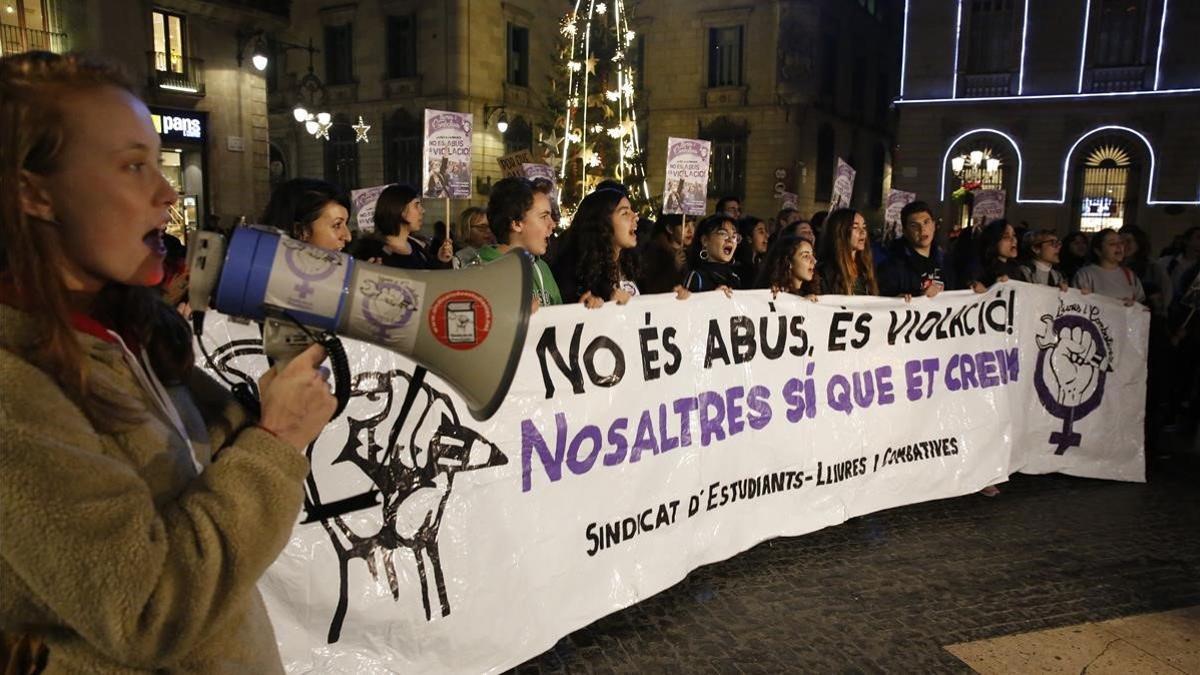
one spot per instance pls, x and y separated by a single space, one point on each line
520 219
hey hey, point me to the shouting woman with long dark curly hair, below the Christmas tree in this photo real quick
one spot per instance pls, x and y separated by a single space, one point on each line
597 261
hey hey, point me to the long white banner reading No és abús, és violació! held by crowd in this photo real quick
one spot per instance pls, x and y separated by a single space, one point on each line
640 443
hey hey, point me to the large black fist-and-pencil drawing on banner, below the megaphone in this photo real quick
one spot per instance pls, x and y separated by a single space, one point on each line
415 477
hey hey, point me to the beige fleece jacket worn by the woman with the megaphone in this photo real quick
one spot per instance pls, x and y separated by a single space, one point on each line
115 548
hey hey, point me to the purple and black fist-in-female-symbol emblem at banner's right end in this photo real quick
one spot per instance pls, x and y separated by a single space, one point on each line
1075 359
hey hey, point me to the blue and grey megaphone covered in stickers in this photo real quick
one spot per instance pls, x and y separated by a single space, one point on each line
467 326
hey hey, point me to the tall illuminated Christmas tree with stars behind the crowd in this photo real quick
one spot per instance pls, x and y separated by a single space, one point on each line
595 134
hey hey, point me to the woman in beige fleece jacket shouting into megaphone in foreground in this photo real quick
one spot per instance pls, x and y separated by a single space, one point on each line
140 505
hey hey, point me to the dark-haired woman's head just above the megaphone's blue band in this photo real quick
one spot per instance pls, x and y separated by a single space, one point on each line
311 211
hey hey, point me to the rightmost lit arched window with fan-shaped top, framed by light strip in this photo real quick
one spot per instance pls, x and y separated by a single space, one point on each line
1107 187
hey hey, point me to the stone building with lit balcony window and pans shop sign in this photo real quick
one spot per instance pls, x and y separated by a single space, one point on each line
190 61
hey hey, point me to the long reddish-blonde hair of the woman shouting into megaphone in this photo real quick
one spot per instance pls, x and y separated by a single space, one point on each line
33 138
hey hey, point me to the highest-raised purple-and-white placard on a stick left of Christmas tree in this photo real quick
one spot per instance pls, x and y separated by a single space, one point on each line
446 158
